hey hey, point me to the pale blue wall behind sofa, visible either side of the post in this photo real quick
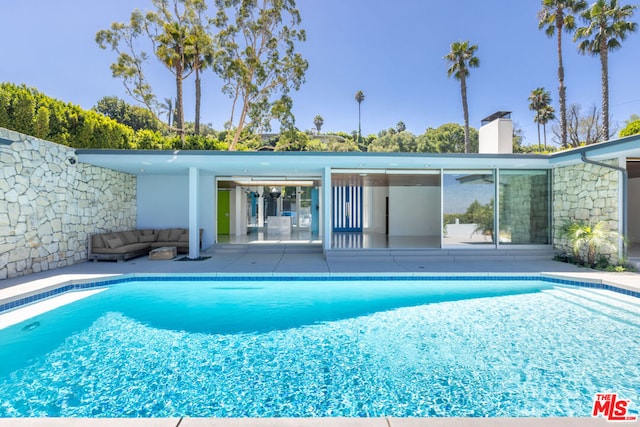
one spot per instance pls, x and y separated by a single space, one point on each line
170 206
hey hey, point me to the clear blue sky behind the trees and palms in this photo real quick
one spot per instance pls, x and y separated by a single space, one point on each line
391 50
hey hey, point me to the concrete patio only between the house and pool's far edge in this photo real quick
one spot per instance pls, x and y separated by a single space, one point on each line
283 259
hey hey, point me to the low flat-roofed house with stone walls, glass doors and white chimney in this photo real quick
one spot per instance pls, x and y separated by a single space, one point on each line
52 197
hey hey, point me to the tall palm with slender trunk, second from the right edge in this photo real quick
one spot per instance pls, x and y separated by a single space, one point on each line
555 16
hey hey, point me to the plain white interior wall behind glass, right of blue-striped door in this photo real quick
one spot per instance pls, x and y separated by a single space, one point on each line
414 211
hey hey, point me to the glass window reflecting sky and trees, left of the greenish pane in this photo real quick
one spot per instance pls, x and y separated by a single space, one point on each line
468 208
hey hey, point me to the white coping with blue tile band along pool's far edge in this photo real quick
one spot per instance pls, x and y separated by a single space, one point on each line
20 296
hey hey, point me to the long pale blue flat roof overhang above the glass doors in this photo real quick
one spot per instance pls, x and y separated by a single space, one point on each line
293 164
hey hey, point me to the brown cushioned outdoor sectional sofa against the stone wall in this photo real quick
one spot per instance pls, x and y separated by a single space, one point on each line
124 245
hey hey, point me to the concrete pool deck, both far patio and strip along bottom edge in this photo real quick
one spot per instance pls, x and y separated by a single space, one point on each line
298 260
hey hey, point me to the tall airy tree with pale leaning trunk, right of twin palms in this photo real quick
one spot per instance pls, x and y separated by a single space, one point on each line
258 60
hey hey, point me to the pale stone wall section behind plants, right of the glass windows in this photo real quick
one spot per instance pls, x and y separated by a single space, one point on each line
589 193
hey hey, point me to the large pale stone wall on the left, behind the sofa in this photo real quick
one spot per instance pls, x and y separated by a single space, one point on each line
49 205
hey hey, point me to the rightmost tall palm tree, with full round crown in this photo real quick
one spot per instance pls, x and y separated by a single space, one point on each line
606 27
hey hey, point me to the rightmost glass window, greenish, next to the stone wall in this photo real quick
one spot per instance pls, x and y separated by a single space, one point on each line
524 207
